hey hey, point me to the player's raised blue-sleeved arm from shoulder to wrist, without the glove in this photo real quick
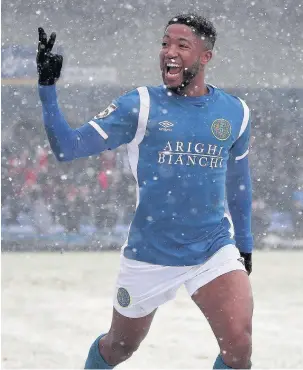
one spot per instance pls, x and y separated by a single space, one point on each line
117 126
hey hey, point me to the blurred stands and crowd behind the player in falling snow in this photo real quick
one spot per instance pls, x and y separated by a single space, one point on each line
109 48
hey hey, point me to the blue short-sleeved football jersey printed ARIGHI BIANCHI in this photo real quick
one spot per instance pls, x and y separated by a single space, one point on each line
178 149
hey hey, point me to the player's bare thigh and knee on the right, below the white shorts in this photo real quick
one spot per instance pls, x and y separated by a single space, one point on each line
227 303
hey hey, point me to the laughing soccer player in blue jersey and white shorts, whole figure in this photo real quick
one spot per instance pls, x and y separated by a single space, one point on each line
187 143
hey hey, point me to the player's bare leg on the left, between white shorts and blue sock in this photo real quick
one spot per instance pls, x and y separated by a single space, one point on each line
124 337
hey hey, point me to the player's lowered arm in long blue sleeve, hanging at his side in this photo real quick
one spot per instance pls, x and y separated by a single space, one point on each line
239 194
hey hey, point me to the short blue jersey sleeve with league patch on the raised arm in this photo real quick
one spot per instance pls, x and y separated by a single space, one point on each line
117 124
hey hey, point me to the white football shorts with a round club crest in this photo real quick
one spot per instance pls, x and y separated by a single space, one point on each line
142 287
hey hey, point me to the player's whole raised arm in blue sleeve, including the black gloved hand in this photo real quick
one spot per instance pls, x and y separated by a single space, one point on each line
115 127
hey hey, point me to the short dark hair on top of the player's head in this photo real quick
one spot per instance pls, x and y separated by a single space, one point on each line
201 26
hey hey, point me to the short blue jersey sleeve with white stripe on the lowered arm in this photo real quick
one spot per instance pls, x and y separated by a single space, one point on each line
240 148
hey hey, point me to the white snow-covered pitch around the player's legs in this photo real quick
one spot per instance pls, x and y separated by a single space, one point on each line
54 305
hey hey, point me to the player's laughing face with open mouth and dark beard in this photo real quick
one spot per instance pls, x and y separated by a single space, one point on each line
182 56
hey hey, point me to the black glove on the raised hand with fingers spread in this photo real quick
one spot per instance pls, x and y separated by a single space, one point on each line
48 65
